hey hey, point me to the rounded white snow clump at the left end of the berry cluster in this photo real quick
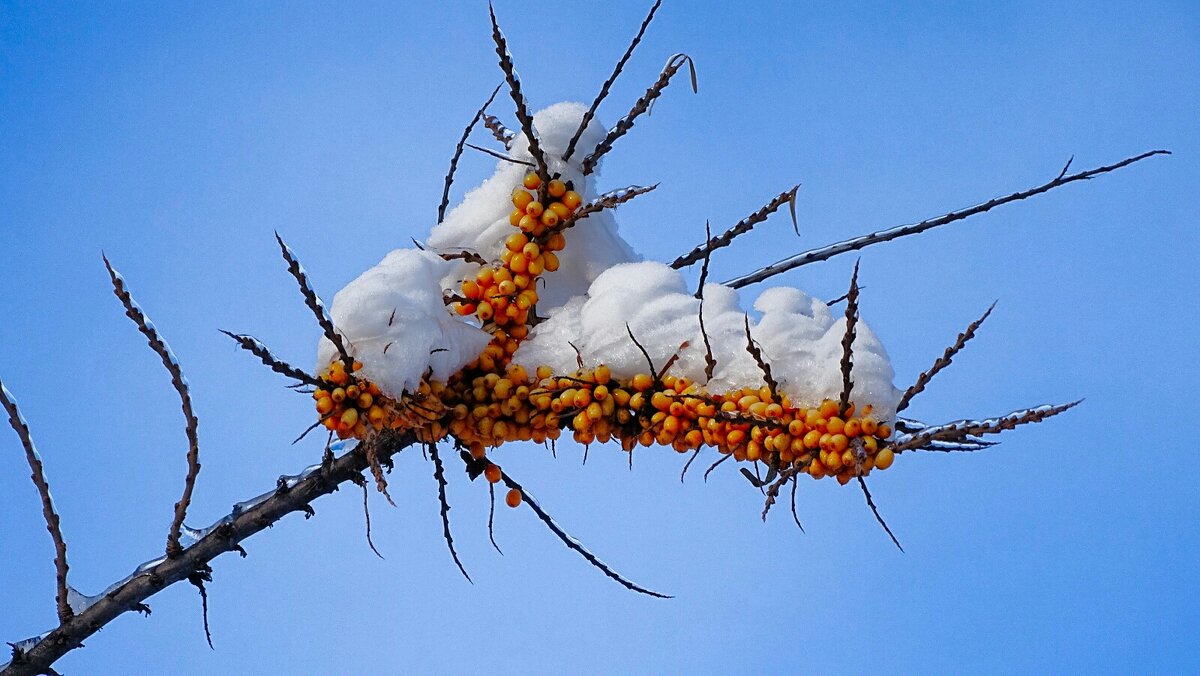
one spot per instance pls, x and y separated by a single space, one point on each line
397 324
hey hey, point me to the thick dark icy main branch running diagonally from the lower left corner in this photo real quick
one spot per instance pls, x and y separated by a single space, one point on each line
295 495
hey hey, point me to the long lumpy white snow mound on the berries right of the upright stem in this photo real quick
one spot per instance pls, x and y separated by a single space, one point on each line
800 338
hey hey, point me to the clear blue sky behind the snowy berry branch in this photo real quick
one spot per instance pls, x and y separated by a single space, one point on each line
177 139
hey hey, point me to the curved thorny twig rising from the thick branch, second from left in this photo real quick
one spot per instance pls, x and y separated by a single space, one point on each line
171 363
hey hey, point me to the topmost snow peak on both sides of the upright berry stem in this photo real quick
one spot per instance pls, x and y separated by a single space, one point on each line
481 224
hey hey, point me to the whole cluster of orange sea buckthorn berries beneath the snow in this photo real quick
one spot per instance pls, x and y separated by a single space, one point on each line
493 402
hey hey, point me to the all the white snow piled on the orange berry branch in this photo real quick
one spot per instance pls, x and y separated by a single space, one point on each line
602 286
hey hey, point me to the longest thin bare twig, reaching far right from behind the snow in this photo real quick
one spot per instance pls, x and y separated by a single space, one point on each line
854 244
